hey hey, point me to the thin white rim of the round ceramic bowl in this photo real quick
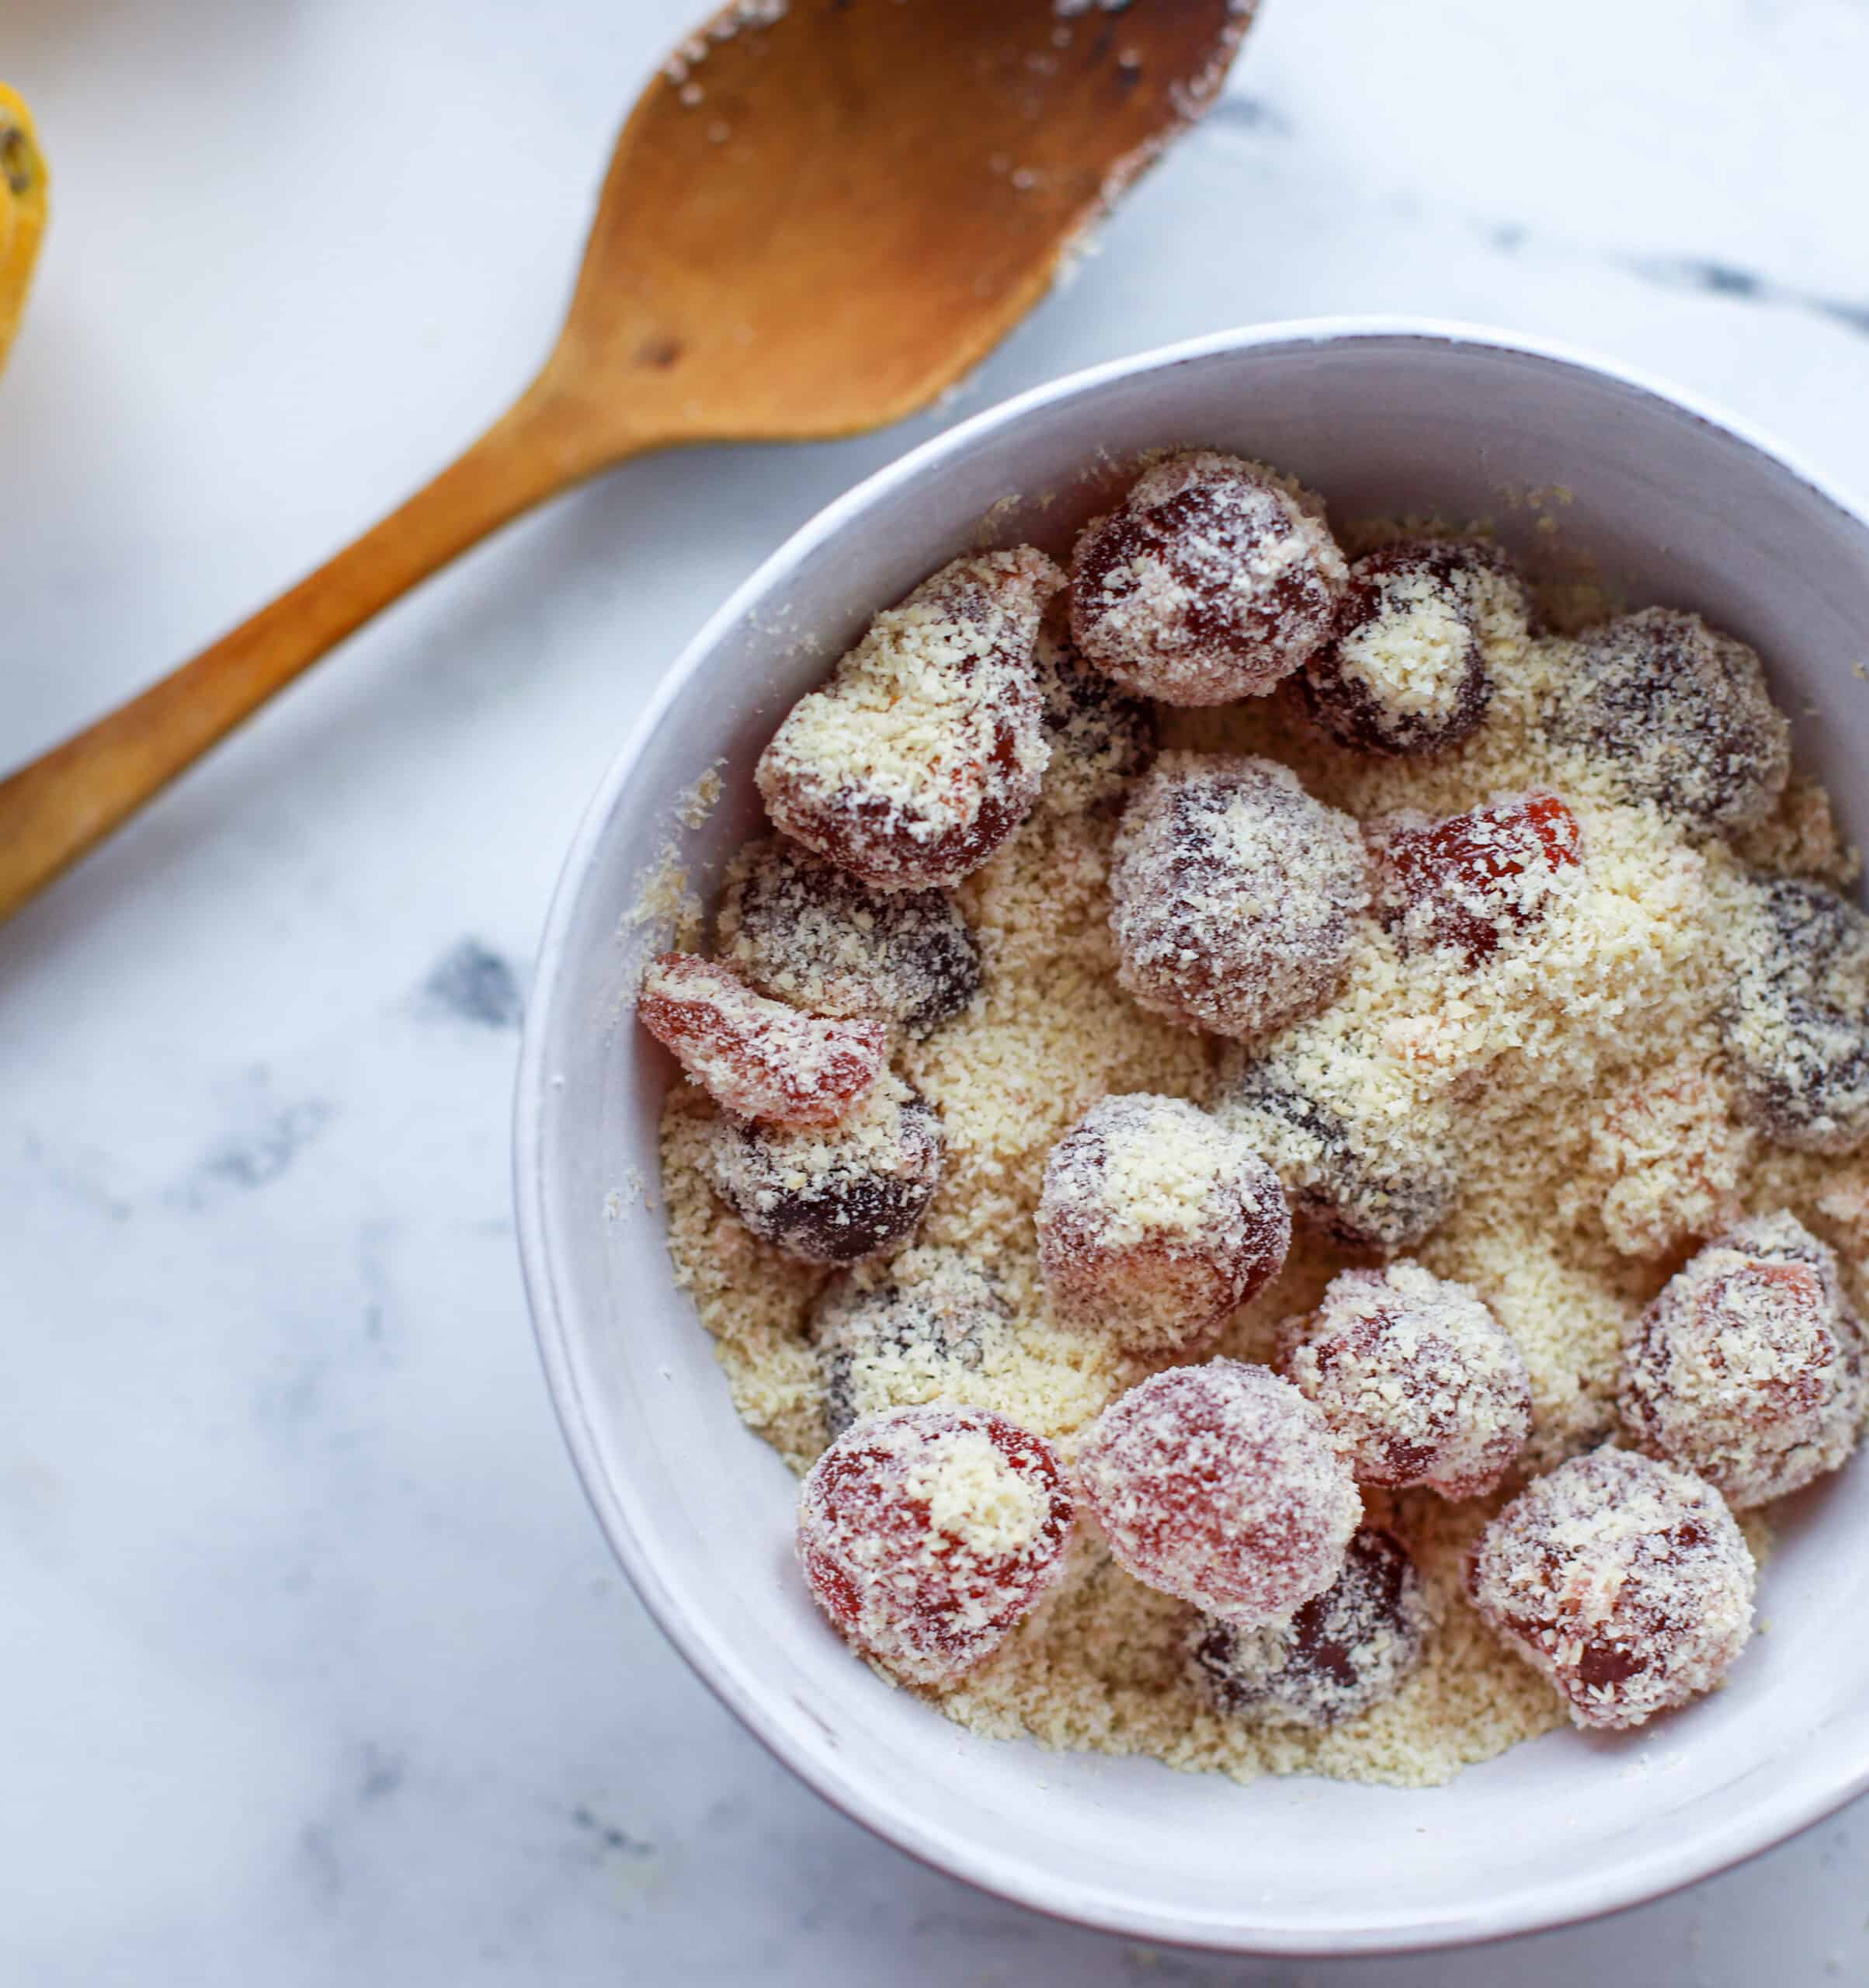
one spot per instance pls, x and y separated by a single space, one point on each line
1828 1780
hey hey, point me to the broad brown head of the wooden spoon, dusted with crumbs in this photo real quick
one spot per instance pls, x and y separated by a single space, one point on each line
816 224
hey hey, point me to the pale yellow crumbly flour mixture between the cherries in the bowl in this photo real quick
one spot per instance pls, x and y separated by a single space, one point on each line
1596 1136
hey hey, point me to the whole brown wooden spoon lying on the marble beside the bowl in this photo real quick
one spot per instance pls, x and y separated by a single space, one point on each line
816 220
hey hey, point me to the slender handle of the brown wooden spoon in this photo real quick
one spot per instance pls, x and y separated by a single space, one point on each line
67 802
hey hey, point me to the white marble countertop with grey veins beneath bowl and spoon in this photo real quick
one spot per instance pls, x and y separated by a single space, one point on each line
313 1663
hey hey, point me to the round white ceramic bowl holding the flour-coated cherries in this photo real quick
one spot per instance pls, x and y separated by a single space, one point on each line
1381 418
